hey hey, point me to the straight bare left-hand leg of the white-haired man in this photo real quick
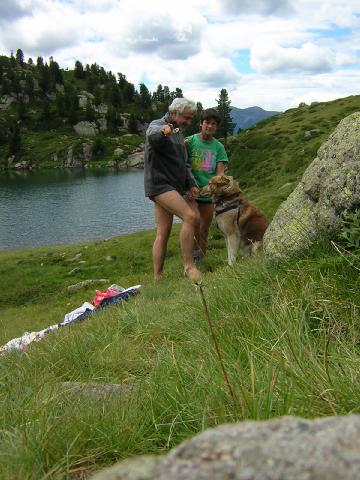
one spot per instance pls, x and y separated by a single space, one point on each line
164 220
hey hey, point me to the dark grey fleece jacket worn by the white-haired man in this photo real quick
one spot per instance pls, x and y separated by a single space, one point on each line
165 160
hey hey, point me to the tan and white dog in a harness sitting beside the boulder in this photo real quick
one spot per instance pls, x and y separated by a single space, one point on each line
242 224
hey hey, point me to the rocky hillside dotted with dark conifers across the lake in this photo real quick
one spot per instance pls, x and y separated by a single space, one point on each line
52 117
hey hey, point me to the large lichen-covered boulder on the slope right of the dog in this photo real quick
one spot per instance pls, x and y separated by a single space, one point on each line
330 184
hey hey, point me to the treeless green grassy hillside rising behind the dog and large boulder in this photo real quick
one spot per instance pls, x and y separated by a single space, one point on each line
269 158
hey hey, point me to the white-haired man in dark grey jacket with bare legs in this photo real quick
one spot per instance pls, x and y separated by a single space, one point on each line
170 185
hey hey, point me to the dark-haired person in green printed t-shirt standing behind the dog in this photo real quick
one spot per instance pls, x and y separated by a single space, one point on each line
207 157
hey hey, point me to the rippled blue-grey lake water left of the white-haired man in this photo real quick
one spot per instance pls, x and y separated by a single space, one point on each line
68 206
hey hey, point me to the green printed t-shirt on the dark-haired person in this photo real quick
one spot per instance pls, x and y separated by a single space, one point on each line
203 157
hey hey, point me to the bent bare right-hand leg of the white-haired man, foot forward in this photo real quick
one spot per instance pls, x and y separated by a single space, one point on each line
174 203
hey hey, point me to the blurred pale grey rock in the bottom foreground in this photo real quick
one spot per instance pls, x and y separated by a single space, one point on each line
288 448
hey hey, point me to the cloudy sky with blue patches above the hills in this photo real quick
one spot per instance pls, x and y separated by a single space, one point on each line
270 53
